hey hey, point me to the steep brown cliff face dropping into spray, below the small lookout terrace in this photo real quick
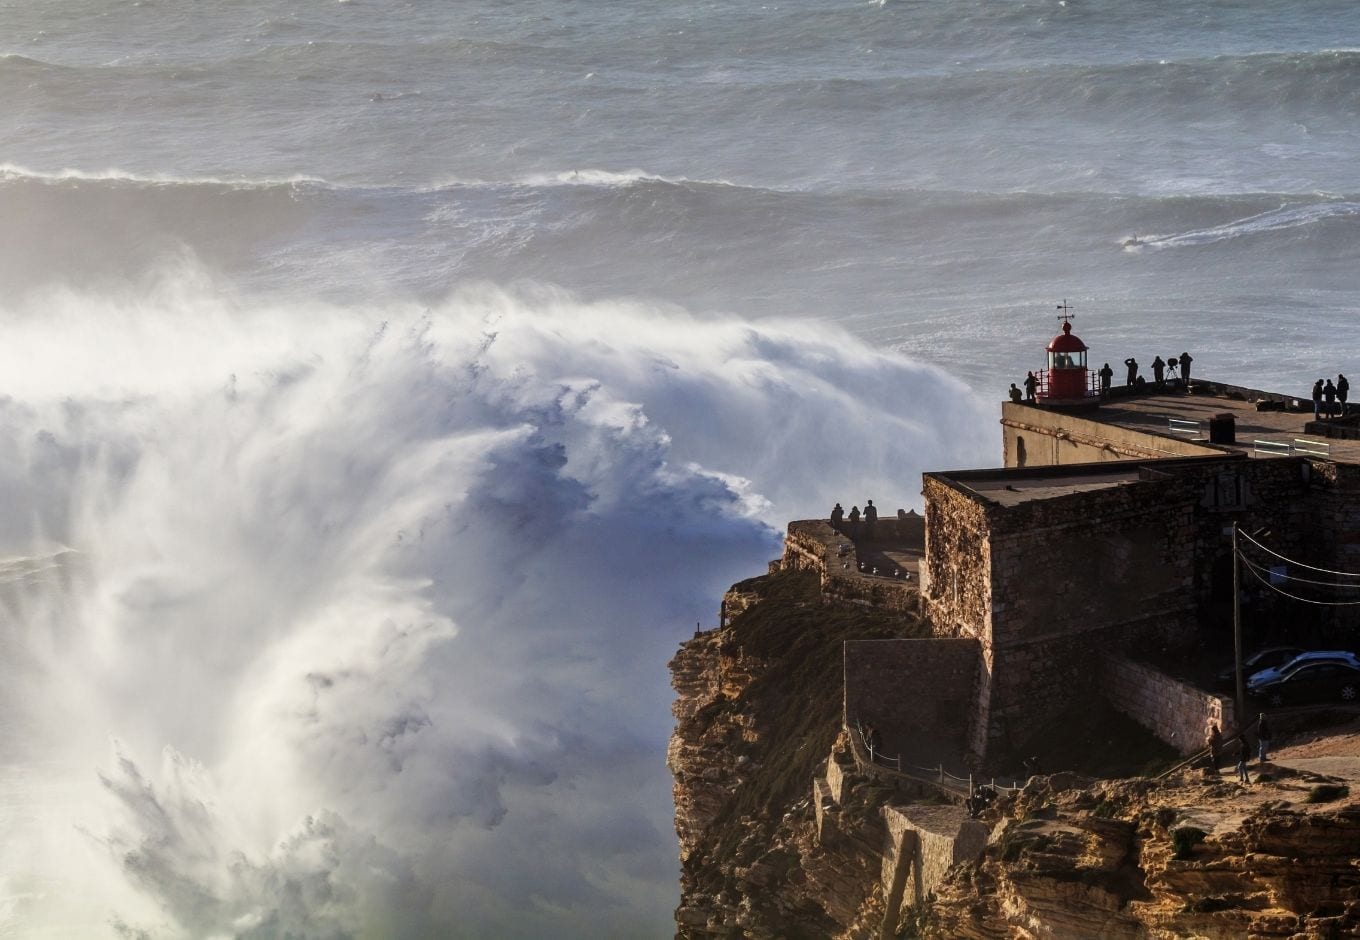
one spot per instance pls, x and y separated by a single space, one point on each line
753 860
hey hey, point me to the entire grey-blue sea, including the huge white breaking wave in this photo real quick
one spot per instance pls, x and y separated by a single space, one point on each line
387 388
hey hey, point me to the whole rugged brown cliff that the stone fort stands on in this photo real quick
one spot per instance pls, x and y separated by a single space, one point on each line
783 835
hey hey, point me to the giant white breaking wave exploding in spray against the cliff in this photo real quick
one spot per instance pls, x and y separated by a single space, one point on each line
354 622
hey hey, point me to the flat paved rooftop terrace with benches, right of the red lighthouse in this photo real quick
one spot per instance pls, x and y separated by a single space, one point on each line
1151 413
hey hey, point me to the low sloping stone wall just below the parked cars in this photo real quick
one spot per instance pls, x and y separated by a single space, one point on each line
1174 711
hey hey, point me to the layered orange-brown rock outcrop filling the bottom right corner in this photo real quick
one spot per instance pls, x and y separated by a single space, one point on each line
1140 859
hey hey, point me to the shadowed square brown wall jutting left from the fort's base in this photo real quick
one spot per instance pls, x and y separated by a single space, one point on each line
919 693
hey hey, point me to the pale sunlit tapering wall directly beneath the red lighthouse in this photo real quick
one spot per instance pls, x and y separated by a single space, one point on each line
1041 437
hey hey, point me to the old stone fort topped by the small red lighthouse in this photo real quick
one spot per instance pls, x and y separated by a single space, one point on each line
1097 563
